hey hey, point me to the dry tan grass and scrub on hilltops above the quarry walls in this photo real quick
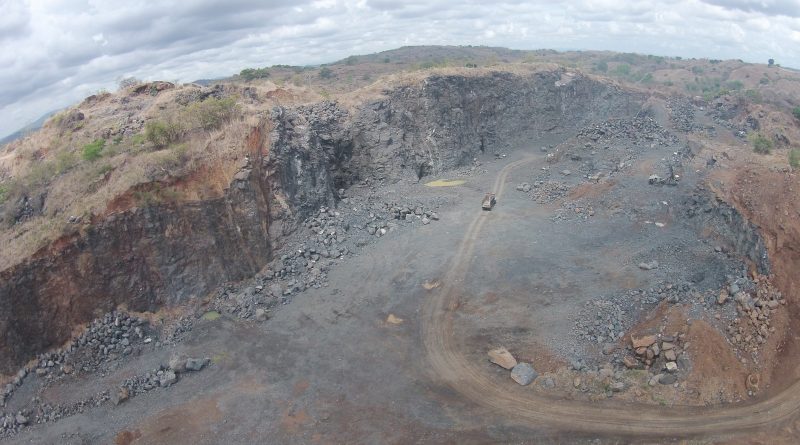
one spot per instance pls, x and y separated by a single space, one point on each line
201 164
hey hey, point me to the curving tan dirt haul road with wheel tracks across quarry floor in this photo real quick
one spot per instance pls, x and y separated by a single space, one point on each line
527 408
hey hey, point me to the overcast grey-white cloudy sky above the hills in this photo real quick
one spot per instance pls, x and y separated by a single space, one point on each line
55 52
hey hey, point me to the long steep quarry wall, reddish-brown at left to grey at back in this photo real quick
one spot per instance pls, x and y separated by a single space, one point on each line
297 160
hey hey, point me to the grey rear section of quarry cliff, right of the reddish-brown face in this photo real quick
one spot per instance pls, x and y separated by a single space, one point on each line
424 129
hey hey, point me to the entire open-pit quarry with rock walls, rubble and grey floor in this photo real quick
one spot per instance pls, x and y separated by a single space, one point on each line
636 280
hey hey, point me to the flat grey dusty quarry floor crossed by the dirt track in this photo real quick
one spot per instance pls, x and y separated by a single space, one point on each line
394 349
